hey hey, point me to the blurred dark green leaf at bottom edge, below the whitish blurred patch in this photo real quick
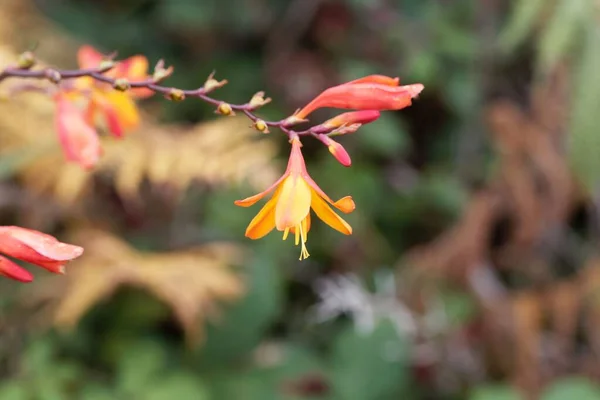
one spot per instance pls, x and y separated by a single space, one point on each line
370 366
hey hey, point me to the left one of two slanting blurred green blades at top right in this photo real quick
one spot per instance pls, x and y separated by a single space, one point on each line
521 23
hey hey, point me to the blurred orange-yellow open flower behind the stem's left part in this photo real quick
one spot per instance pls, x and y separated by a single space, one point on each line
117 109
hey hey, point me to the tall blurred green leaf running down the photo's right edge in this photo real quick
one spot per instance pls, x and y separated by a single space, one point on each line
584 146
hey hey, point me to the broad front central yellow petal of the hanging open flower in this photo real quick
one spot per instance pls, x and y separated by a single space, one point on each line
293 204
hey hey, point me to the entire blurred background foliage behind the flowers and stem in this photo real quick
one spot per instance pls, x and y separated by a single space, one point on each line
472 272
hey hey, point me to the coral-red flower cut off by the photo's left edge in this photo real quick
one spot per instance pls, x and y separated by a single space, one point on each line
33 247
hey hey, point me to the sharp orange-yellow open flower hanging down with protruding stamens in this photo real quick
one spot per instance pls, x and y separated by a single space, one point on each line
288 210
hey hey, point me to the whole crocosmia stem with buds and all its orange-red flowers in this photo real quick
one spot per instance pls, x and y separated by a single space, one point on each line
102 92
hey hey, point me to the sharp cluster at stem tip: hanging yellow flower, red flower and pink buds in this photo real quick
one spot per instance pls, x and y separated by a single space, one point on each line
296 193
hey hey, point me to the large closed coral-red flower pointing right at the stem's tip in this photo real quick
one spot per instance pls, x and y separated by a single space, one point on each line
374 92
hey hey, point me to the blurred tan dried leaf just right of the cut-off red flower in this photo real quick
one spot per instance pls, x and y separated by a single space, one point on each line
191 282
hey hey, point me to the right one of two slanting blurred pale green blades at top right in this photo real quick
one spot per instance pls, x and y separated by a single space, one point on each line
562 31
